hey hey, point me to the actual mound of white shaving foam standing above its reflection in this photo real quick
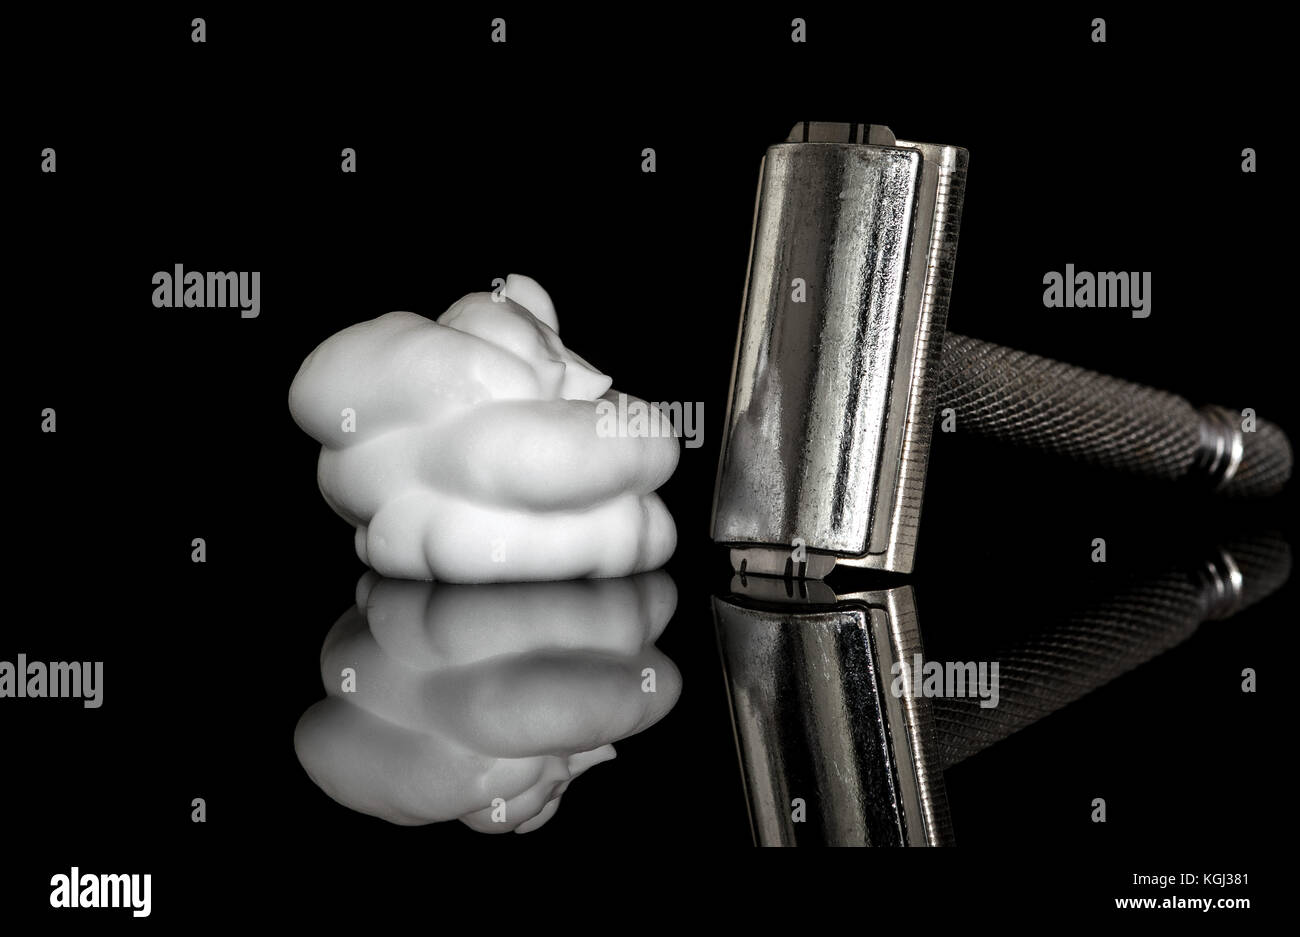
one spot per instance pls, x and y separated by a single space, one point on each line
467 449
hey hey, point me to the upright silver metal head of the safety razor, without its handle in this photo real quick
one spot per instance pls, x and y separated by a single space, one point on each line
834 383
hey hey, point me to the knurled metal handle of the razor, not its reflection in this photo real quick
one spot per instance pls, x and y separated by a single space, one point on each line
1032 401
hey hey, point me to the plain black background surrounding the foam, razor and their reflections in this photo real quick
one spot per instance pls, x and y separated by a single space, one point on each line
476 160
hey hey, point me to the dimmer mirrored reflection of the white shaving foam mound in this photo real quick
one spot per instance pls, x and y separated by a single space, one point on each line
483 704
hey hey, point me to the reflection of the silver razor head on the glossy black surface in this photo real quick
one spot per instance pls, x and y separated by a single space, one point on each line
829 754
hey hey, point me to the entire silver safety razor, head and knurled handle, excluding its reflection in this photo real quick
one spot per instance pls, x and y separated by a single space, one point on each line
843 361
